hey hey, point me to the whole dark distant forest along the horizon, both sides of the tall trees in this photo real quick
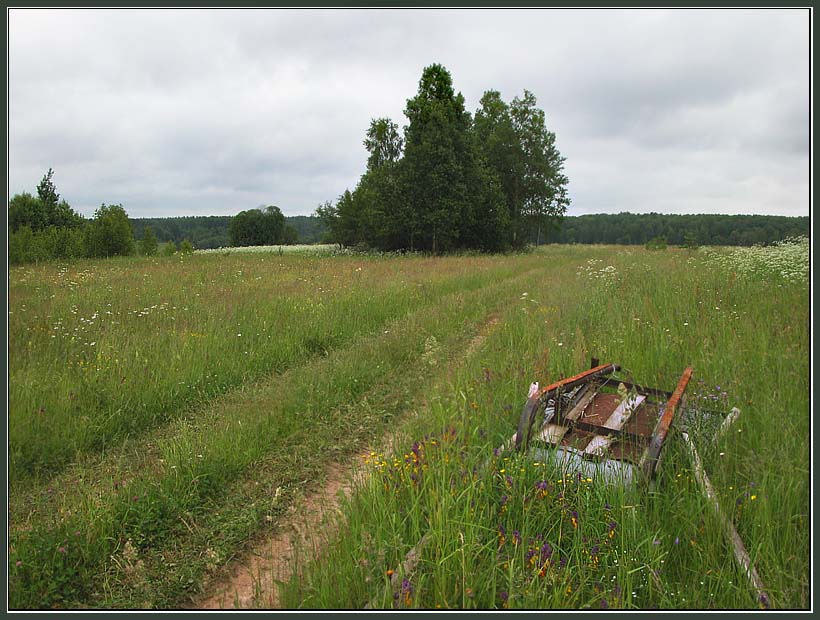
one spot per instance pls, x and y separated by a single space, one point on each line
622 228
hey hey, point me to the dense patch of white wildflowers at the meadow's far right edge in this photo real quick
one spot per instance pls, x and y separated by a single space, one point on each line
788 260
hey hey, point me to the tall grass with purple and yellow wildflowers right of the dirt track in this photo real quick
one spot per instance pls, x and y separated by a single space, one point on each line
526 535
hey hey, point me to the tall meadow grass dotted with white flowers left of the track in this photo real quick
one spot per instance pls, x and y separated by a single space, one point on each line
102 351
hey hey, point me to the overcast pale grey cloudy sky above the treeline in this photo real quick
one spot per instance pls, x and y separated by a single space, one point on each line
209 112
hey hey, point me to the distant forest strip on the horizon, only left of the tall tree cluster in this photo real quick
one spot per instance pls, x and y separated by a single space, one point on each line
211 231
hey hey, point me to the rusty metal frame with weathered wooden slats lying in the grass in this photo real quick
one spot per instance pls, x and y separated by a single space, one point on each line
595 423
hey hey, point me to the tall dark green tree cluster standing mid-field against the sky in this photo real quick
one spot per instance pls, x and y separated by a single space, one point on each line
451 181
